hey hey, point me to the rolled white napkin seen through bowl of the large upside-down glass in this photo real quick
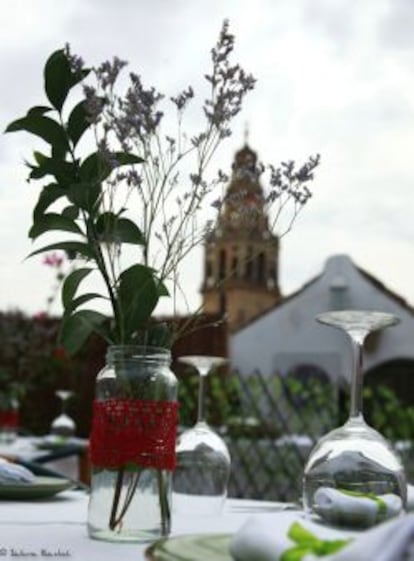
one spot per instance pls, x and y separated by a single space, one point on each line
343 508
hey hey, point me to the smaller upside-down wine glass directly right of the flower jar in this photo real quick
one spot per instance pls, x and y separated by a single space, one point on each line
203 460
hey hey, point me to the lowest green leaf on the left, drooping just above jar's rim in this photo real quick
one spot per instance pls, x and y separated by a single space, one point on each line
77 327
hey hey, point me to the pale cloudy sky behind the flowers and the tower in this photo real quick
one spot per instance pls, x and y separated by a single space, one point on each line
333 76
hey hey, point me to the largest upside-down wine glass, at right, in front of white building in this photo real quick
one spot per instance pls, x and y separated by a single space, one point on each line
353 477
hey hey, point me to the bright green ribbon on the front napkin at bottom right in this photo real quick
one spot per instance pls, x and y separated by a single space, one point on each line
309 543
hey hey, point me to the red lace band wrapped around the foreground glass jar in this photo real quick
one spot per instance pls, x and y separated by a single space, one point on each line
140 432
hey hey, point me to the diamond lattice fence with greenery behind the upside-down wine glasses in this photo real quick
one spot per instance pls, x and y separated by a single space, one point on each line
270 425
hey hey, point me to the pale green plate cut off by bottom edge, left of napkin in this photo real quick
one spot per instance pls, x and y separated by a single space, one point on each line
199 547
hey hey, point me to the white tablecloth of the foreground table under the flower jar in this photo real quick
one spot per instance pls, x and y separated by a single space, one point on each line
56 529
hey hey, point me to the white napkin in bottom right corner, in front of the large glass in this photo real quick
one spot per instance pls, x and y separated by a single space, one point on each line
259 540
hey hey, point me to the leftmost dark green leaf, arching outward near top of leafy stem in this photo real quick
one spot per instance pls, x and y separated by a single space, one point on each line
44 127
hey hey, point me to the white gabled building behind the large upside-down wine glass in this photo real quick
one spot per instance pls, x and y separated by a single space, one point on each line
287 338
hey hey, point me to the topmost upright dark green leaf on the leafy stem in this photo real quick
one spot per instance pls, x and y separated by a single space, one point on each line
58 78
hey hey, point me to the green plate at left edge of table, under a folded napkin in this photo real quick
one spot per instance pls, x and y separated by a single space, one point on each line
41 488
